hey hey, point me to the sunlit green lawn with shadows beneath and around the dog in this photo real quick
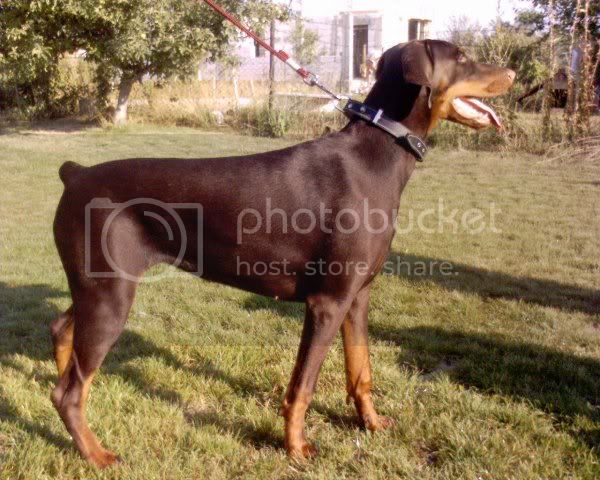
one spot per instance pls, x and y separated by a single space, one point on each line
492 372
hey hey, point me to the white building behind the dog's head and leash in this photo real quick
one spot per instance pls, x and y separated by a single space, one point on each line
351 32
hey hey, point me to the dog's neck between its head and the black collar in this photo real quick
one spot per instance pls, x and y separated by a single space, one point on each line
405 103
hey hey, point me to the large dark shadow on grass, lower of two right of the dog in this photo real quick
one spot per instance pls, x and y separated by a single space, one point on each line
558 383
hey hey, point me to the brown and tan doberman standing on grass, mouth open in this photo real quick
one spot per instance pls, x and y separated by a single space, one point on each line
105 250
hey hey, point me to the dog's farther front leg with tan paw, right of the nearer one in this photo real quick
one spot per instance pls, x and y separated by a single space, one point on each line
358 365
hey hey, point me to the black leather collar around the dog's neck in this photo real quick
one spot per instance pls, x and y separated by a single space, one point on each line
376 117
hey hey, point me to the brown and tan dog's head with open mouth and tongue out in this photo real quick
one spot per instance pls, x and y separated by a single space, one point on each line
455 83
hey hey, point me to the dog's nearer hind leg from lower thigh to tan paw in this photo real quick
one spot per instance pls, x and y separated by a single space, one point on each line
98 318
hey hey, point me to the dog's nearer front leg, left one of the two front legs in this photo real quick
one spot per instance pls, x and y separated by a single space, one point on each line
324 316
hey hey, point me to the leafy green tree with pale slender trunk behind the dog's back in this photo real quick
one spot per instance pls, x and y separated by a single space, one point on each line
160 38
